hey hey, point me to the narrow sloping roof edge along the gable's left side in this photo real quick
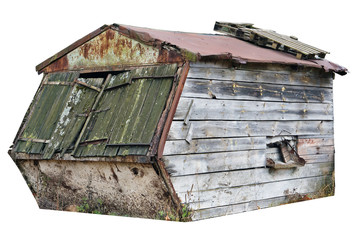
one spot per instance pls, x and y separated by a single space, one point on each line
71 47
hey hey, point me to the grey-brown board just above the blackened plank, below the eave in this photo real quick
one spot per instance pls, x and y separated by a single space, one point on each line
261 76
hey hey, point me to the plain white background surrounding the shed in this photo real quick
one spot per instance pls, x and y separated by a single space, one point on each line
32 31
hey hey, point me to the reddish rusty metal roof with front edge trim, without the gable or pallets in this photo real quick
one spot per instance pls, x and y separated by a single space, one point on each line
204 46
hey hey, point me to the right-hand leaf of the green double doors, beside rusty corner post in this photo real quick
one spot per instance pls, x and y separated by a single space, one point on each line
131 106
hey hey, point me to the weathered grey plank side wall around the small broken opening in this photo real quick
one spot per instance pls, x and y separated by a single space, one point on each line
216 149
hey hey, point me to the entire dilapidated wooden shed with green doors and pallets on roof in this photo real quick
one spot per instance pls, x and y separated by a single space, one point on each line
180 126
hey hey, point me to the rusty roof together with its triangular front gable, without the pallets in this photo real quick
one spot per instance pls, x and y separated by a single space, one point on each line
125 45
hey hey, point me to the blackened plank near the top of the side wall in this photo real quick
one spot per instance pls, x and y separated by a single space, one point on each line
221 89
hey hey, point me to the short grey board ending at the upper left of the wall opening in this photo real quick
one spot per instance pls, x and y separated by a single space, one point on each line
213 145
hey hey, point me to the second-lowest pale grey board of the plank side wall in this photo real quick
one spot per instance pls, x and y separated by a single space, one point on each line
235 195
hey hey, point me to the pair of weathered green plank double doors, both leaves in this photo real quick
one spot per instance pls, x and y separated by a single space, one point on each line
97 117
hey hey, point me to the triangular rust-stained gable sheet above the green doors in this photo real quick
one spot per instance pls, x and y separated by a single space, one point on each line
106 49
